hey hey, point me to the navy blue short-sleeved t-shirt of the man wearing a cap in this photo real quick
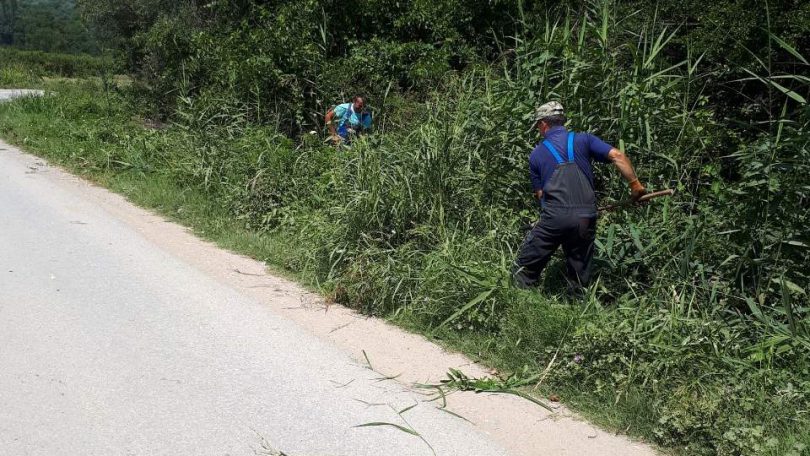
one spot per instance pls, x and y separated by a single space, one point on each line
587 147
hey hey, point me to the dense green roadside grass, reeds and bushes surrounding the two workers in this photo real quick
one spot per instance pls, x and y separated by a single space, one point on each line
695 334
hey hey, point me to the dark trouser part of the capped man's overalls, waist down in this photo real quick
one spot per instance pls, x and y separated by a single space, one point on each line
572 229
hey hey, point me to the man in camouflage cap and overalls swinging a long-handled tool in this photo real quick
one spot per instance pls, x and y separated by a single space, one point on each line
562 179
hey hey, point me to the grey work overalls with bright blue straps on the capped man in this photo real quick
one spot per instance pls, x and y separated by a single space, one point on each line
567 218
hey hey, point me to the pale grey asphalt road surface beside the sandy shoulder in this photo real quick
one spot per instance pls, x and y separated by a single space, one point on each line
110 345
